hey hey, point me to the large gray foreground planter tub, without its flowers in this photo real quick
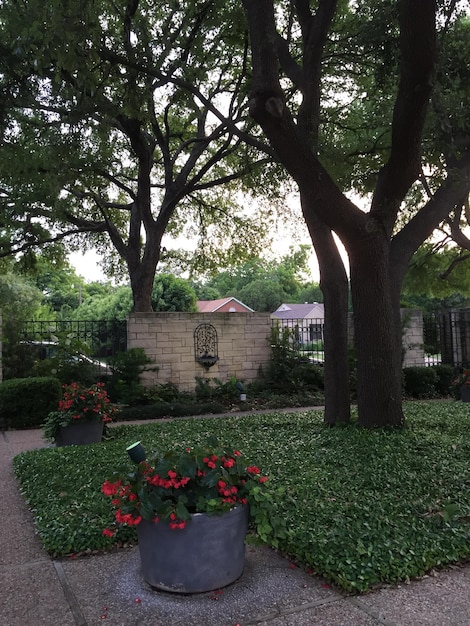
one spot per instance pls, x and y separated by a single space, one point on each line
209 553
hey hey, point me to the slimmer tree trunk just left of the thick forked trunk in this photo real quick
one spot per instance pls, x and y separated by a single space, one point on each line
334 285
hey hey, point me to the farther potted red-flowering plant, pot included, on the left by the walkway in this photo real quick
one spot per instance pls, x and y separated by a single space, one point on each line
80 416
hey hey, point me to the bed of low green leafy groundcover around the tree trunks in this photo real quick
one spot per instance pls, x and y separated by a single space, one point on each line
363 507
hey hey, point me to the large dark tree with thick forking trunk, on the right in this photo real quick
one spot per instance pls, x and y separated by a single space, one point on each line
298 41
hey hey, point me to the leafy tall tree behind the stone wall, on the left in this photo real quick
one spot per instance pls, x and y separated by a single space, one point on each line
131 121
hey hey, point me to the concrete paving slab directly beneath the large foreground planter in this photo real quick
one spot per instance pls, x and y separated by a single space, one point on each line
118 591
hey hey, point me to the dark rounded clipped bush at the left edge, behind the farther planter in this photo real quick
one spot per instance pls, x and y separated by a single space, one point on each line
26 402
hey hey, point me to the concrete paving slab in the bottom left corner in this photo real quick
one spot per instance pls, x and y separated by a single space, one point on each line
31 595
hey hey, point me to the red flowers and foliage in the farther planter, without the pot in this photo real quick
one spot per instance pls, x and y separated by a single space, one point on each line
79 403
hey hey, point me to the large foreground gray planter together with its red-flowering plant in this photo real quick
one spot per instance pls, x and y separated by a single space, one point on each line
192 508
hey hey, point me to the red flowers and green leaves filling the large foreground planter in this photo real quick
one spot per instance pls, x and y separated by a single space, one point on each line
170 487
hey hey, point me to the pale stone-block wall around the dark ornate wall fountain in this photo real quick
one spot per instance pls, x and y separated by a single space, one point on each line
168 338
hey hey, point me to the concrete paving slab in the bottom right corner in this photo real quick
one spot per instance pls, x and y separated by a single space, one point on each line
439 600
